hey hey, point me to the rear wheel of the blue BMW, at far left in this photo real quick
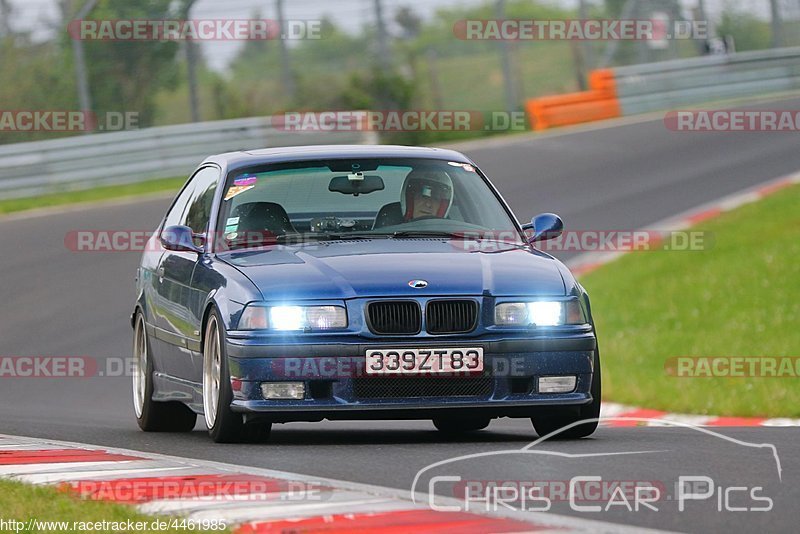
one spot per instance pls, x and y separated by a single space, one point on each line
153 416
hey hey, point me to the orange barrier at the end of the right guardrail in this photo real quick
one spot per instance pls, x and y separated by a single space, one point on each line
599 103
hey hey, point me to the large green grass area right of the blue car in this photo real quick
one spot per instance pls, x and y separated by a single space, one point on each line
739 298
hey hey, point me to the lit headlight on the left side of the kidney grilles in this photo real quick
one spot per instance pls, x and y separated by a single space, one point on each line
256 317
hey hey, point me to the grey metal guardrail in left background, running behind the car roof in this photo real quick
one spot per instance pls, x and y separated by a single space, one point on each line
87 161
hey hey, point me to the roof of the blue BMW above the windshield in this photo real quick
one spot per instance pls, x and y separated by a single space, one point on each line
244 158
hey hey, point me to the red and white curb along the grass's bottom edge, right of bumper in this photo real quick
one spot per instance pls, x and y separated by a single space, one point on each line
615 415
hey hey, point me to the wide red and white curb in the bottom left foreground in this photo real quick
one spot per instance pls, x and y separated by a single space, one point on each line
252 500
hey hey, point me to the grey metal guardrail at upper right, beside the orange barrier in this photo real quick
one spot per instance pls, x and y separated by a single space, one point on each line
684 82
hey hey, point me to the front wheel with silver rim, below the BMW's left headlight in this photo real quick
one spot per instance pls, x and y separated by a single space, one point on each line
224 425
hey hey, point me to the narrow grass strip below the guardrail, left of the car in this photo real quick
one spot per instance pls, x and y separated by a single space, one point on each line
90 195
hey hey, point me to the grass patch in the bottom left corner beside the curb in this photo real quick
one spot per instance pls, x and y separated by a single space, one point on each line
46 504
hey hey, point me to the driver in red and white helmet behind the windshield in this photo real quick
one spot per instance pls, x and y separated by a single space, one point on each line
426 194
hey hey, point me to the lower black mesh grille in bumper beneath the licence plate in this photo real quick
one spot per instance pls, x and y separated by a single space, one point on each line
416 387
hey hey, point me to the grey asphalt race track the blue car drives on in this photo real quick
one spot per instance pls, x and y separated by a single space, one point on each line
56 302
